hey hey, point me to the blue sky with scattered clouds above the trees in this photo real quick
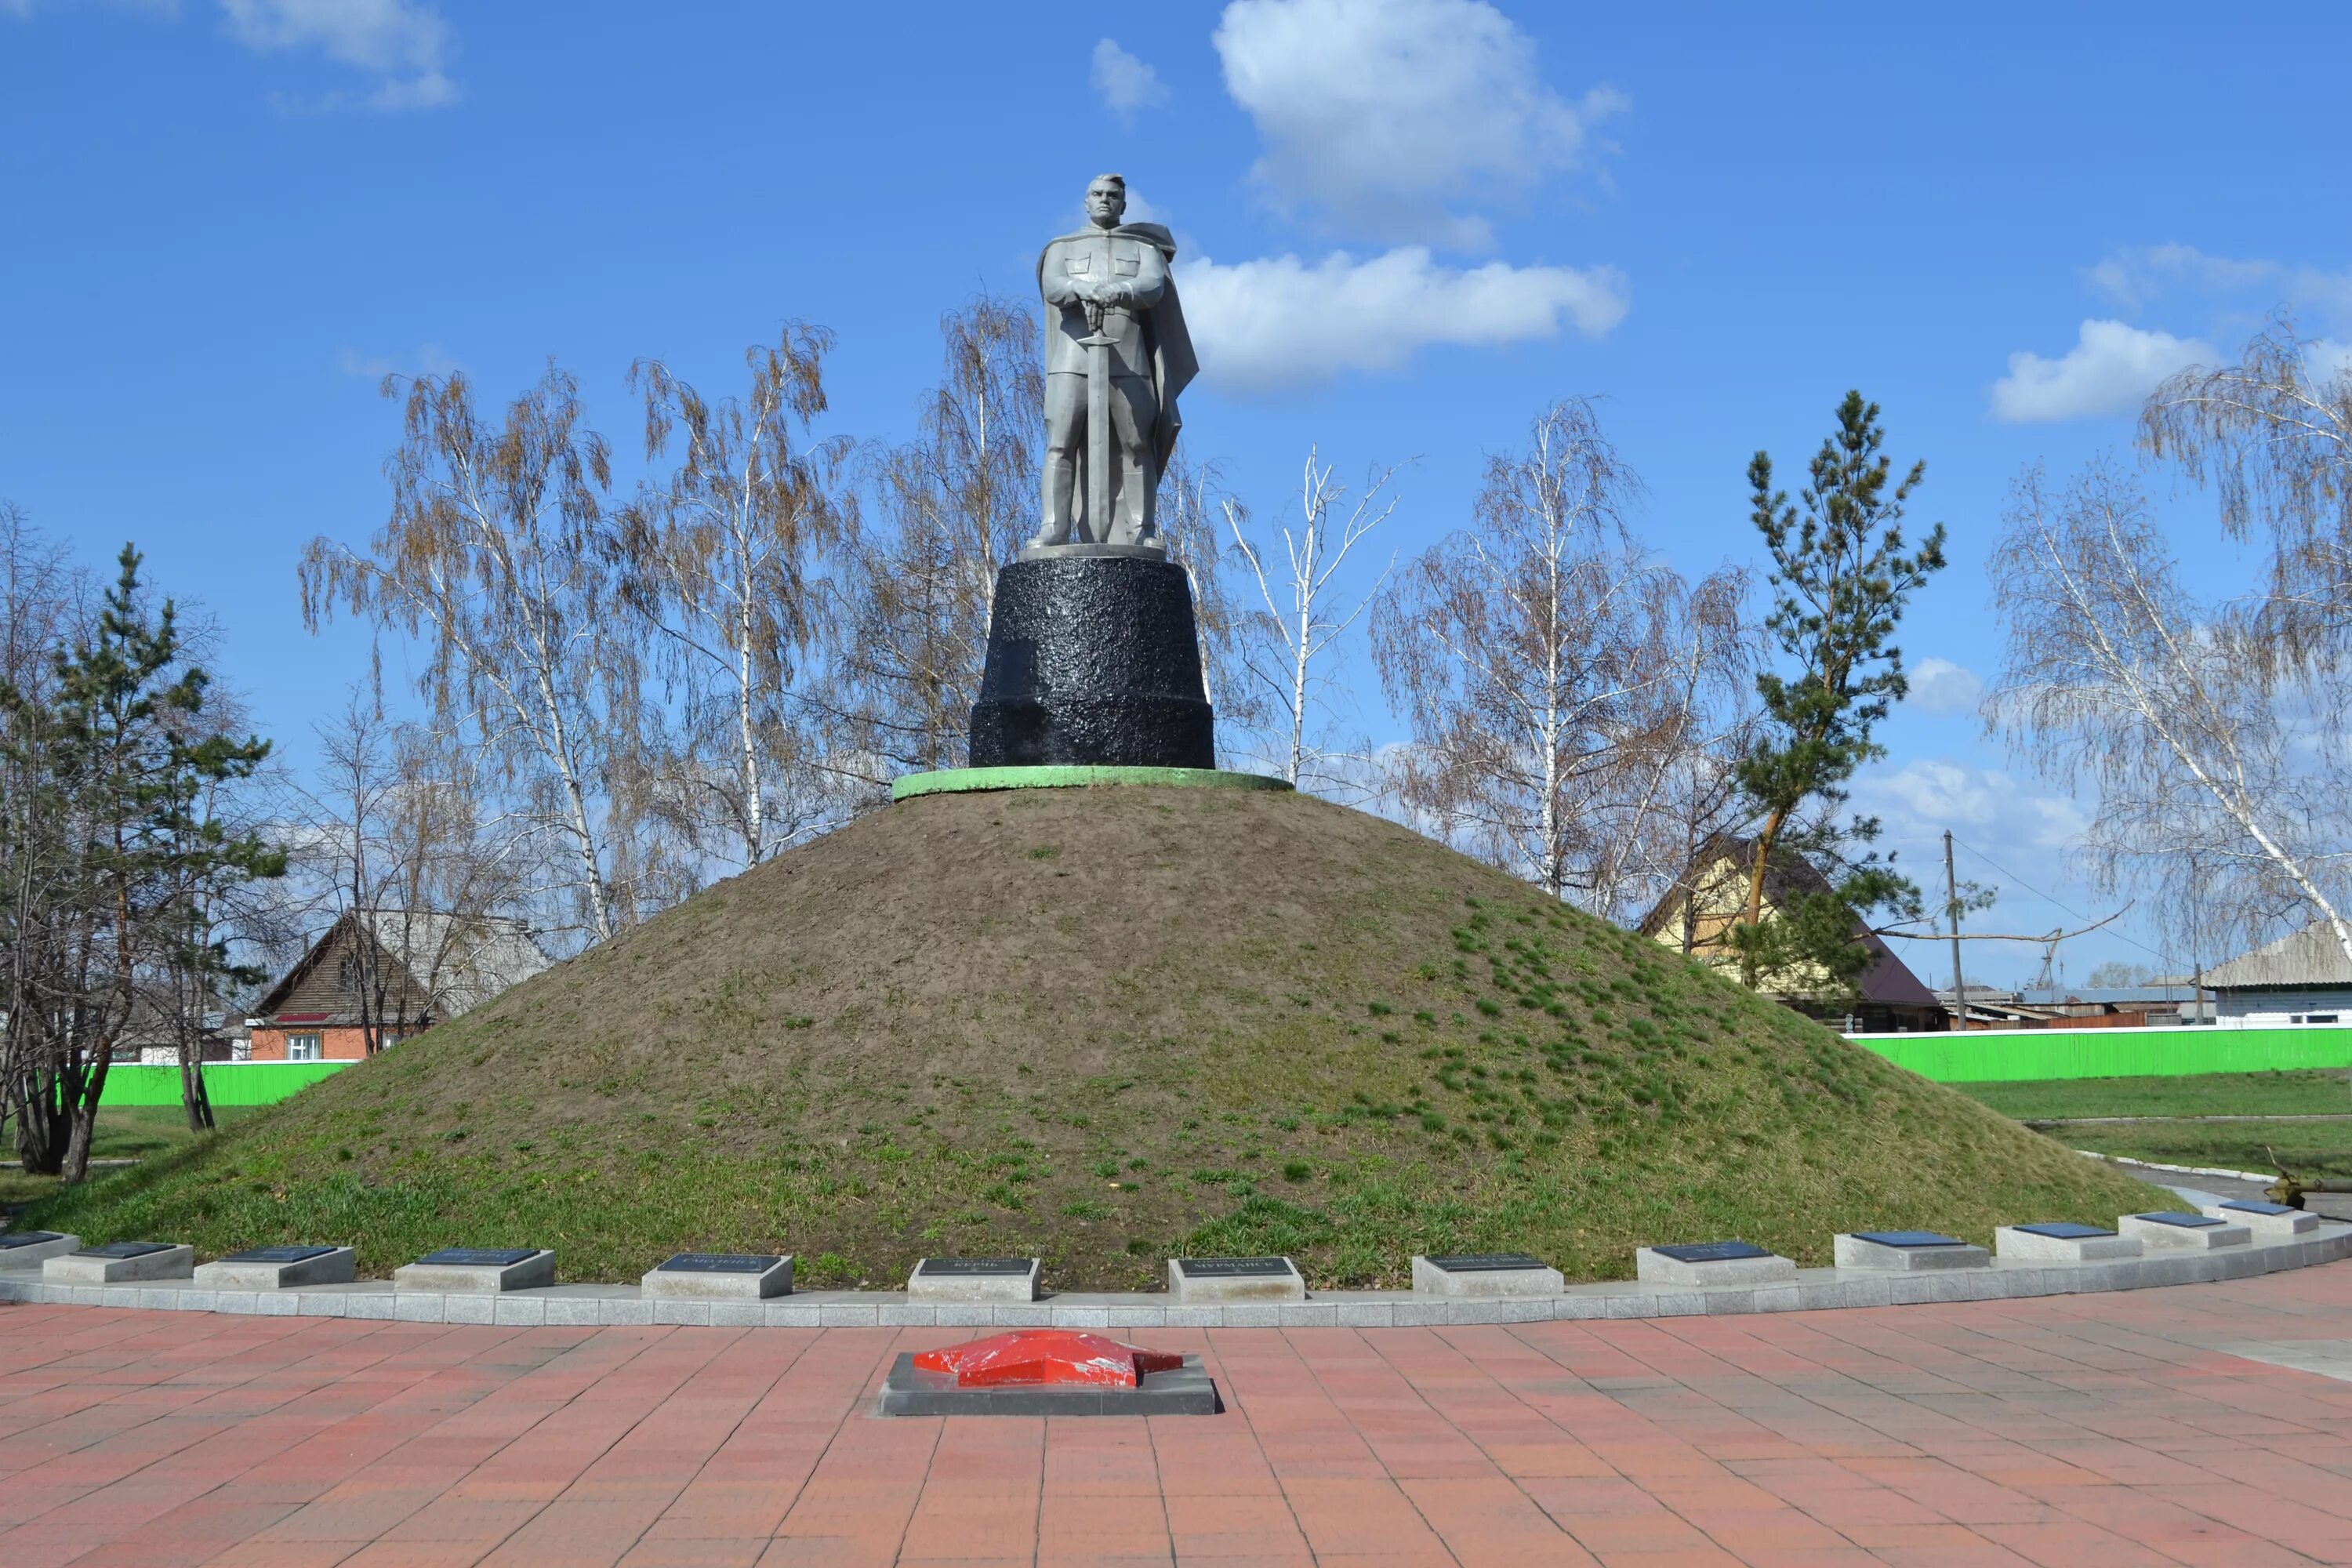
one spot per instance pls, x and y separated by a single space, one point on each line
227 220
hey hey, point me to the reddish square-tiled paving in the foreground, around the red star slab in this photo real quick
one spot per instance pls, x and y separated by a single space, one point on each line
2076 1433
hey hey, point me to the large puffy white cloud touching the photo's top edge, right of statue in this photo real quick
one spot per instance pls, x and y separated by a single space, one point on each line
1384 112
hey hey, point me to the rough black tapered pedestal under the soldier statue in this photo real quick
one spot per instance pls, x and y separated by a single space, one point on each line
1093 662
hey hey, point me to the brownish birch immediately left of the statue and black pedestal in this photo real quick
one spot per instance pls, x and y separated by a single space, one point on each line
918 572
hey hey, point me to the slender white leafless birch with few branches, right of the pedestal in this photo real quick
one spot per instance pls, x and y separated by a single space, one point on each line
1302 603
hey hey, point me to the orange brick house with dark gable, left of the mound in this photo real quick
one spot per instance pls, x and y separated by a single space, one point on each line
389 974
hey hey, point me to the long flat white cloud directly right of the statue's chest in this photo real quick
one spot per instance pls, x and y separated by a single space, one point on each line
1281 323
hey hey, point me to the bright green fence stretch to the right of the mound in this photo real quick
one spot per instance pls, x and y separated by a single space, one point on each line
1993 1057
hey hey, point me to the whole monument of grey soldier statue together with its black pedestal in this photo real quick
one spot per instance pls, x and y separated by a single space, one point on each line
1093 648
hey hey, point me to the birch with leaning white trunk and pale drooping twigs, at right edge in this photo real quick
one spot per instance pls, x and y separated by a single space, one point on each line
2219 791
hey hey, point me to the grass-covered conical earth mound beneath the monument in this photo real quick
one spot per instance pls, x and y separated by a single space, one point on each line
1109 1026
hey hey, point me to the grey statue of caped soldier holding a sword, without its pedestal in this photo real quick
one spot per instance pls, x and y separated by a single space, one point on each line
1116 359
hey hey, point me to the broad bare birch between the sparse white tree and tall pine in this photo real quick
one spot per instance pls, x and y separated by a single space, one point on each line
1551 671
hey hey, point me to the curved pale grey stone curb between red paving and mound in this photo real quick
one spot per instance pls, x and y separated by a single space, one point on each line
624 1308
